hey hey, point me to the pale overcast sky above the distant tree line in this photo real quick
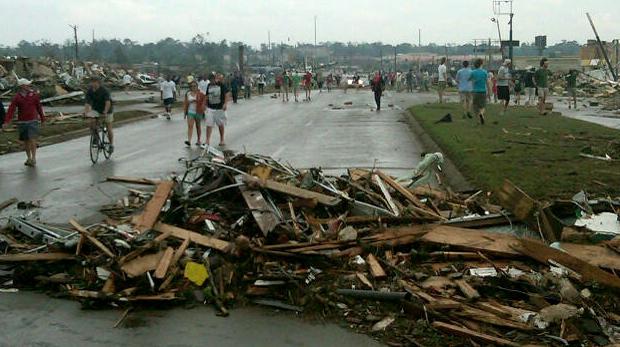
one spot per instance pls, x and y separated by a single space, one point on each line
389 21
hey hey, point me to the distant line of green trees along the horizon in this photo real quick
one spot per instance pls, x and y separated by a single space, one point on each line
221 55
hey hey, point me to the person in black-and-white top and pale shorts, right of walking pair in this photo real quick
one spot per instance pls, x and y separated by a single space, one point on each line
217 100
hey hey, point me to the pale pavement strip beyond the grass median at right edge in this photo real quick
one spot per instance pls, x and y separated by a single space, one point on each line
595 115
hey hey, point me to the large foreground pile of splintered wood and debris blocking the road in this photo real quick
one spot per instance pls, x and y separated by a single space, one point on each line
395 258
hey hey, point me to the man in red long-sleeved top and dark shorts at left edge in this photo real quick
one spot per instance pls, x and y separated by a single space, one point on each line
29 114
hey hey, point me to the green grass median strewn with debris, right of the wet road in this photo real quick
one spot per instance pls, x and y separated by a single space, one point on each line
540 154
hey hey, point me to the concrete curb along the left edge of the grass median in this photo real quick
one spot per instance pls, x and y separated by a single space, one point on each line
453 176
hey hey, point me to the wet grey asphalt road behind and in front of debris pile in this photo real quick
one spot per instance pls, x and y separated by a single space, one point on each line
68 185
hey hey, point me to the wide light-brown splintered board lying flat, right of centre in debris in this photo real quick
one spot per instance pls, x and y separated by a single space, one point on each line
472 239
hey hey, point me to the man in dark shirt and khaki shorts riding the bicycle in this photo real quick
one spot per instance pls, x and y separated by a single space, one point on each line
99 104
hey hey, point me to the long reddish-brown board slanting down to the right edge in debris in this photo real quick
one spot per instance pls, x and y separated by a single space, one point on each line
543 254
